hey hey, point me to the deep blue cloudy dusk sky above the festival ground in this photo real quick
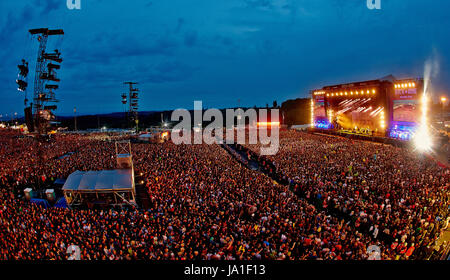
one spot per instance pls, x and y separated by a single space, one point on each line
219 51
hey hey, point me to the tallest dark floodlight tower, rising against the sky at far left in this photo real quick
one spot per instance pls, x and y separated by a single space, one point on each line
44 95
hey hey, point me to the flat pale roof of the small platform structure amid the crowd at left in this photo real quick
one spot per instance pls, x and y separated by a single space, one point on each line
99 181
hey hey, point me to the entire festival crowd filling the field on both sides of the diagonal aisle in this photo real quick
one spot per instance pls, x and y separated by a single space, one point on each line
205 205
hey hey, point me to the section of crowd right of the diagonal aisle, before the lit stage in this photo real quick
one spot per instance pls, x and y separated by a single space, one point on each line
397 196
